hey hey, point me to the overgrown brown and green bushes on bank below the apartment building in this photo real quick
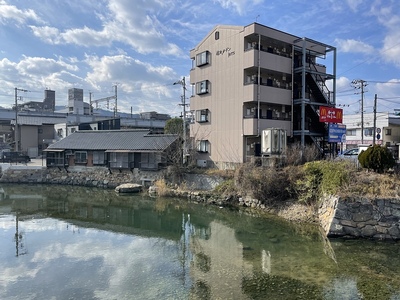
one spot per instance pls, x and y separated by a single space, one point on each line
305 183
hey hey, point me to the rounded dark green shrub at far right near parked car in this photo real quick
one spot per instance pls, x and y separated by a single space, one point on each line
377 158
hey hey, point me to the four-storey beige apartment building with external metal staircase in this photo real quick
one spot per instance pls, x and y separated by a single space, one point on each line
247 79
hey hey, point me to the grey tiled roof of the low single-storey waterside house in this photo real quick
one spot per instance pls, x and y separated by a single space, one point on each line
134 140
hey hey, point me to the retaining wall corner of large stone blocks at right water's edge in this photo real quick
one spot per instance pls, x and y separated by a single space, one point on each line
360 217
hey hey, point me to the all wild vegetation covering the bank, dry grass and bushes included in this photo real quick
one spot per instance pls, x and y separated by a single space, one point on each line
298 187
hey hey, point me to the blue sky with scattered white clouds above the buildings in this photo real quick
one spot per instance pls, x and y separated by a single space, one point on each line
142 47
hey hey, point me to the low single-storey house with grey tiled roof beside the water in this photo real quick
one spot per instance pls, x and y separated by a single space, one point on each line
114 149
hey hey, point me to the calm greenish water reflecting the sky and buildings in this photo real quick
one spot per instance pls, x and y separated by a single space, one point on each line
63 242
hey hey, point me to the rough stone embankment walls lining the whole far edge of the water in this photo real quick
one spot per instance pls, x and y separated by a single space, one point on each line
339 217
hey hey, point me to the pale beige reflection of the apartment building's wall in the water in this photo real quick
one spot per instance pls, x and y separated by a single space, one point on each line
218 261
